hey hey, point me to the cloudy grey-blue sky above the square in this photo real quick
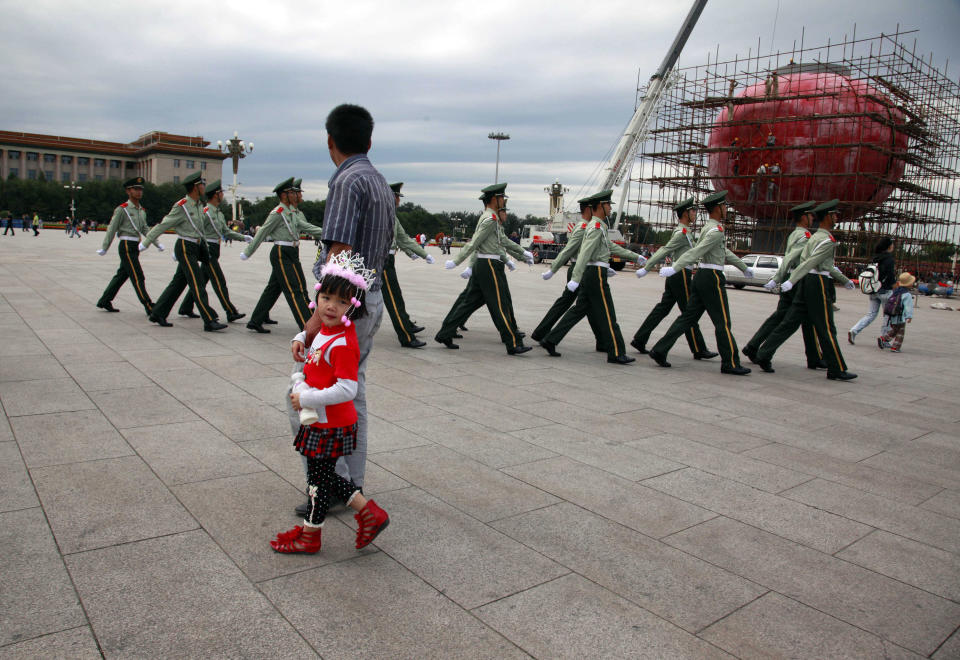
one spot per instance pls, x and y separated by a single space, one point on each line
559 77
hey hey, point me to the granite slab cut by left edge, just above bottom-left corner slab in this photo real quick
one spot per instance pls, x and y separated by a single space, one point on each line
37 595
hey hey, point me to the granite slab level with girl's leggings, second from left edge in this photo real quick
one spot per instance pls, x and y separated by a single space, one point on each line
106 502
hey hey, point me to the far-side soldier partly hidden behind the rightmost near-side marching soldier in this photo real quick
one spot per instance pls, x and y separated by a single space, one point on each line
796 242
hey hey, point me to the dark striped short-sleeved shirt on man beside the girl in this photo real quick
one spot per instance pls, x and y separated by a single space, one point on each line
360 212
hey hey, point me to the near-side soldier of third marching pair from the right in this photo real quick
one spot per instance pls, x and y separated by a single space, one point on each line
594 299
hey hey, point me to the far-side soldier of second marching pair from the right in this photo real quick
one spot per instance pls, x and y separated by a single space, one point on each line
677 288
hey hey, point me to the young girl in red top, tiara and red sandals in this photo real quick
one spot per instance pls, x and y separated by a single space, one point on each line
325 398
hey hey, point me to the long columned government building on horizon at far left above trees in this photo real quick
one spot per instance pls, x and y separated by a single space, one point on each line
156 156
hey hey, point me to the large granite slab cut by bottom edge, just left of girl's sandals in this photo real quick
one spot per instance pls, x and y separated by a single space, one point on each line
141 596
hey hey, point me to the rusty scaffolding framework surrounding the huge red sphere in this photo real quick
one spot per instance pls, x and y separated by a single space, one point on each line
900 94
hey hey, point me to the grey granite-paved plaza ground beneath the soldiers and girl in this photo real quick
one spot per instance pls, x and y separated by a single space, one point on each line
540 507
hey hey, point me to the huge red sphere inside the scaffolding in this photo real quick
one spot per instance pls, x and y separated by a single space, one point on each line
830 137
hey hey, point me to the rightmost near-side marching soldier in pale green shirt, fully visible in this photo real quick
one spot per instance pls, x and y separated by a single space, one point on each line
813 301
